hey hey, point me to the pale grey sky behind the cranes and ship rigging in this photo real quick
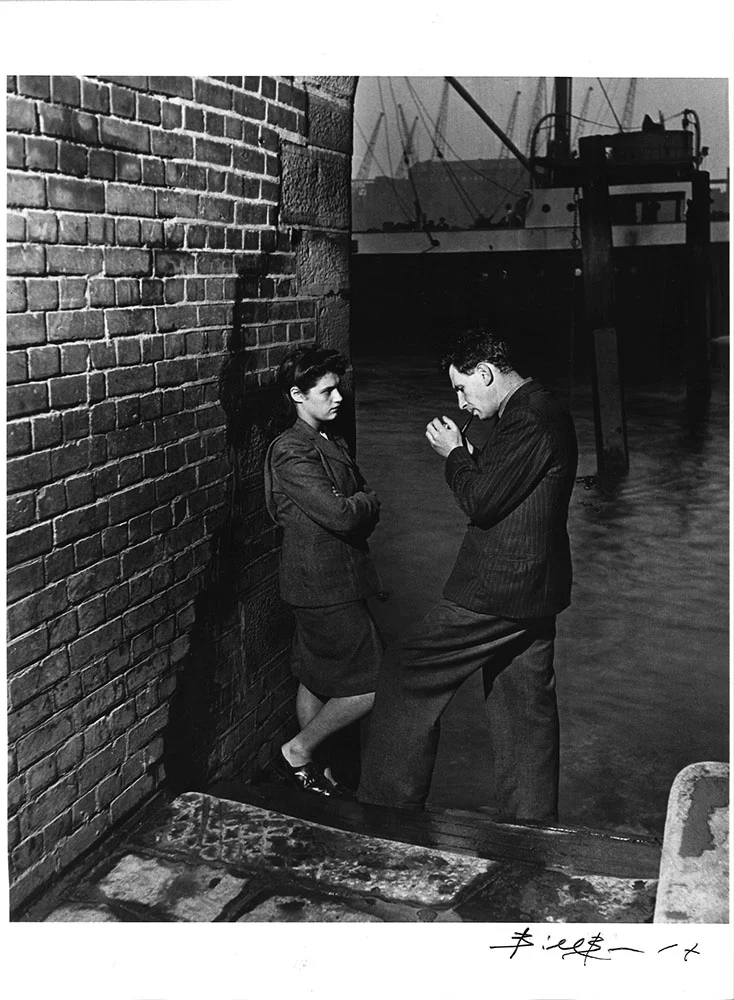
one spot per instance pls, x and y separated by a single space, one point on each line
467 137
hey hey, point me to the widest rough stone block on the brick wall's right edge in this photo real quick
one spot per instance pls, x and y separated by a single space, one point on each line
315 188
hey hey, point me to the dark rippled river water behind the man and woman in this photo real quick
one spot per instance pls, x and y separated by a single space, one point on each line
642 655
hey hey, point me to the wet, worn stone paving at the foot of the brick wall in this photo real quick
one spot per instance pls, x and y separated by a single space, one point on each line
202 858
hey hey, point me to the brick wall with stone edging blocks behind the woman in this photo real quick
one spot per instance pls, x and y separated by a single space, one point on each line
168 239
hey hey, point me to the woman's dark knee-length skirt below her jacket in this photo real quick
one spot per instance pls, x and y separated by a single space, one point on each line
337 650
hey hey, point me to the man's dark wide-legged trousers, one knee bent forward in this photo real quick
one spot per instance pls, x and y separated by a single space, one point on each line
418 679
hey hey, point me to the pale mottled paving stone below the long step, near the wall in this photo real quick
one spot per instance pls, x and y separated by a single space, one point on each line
182 891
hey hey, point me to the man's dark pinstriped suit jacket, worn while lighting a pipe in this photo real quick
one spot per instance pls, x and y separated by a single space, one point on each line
515 559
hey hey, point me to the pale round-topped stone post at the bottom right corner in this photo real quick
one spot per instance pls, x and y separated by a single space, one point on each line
694 868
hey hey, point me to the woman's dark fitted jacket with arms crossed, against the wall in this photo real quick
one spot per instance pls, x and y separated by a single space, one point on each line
314 489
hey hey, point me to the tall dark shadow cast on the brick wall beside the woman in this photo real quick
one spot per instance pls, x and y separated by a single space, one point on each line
211 695
